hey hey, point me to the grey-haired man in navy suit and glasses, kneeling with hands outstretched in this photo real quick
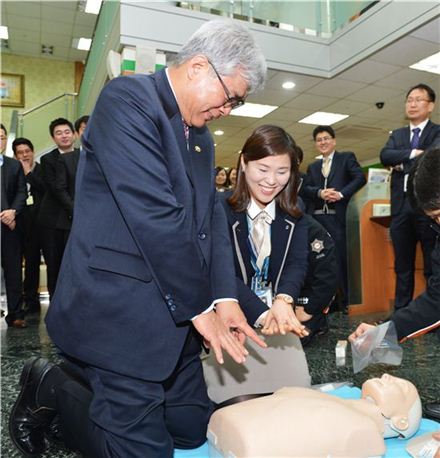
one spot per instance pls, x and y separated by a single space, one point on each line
147 259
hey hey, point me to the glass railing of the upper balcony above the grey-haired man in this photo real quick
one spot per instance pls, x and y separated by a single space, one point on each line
313 17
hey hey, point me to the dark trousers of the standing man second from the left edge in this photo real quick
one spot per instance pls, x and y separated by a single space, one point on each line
32 258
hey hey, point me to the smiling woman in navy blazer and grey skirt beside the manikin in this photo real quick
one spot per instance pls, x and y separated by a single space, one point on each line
269 238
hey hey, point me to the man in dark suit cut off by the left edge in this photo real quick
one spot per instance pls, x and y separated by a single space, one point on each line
13 199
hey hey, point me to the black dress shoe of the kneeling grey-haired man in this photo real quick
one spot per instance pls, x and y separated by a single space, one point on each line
29 420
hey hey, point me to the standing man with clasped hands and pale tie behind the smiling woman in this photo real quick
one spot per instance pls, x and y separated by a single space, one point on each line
329 185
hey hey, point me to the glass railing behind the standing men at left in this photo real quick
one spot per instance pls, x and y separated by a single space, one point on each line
34 123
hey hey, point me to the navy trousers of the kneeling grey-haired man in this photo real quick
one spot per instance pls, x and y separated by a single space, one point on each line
123 417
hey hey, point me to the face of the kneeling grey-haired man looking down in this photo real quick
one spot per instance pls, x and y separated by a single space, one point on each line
208 96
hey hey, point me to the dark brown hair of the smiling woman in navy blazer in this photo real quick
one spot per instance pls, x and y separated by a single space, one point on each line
268 140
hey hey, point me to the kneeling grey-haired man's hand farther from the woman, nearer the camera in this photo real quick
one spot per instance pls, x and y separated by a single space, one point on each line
218 337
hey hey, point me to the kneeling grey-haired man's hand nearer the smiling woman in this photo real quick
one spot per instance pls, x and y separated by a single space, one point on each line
233 318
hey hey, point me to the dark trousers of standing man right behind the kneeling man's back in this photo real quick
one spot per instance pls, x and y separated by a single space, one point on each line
53 244
